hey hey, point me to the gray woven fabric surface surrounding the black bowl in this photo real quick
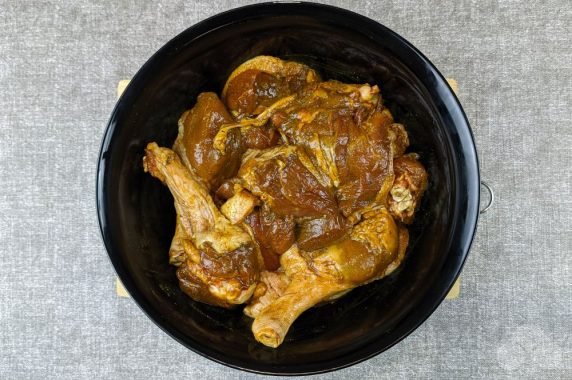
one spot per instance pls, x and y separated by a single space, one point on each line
59 66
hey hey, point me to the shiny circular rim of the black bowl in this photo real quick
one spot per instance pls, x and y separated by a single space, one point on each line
466 232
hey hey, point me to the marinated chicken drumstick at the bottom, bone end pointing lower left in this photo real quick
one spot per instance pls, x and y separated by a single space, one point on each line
374 248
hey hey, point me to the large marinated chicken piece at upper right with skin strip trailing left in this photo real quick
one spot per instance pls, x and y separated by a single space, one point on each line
344 130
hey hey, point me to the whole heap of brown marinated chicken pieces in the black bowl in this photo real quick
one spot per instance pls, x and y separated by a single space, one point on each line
314 185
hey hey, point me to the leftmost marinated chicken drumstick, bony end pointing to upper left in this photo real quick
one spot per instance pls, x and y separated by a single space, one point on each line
222 259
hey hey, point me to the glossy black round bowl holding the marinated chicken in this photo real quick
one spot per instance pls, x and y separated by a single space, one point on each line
136 212
